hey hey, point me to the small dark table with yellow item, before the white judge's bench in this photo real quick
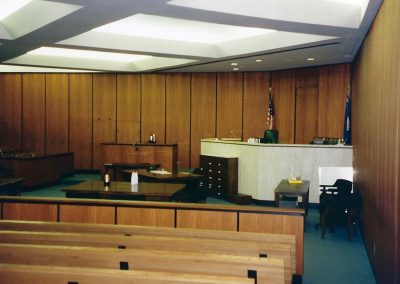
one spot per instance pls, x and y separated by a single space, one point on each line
293 189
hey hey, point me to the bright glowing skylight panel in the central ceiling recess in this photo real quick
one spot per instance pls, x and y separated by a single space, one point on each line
158 27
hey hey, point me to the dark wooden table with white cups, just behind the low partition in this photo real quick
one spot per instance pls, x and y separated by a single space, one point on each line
124 190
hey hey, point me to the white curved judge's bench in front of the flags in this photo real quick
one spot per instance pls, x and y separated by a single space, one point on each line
263 166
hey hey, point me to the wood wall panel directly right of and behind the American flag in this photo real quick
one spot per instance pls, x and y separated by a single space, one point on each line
283 93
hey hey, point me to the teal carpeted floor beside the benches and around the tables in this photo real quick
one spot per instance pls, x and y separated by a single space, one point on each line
332 260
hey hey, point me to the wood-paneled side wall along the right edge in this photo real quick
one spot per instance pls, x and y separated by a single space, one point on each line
376 139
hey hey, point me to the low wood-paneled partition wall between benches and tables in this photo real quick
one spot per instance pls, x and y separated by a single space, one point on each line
164 214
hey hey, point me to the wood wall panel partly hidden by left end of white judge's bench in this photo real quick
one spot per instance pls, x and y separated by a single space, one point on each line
203 112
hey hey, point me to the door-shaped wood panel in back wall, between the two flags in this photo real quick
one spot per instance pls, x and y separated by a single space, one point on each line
306 115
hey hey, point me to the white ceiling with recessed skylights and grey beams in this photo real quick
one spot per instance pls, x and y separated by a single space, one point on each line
182 35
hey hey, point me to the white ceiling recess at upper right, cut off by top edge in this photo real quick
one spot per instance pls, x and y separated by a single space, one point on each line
317 12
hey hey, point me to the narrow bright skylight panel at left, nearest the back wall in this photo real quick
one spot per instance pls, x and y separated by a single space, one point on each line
87 54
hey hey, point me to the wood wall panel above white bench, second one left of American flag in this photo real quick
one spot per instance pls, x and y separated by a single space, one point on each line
229 105
